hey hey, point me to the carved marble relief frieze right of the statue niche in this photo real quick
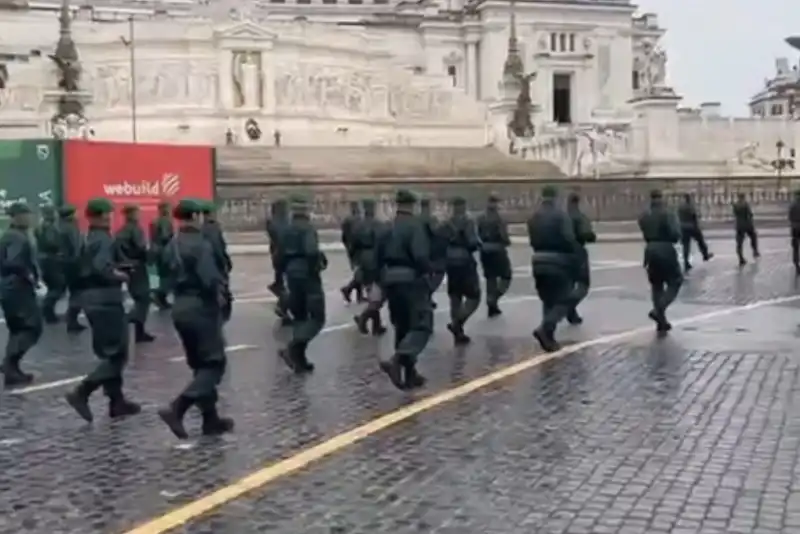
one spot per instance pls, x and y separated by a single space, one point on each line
338 90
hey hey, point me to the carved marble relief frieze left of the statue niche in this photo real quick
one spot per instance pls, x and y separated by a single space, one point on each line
157 84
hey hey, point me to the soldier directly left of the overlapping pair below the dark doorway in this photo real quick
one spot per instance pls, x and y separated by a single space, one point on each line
496 264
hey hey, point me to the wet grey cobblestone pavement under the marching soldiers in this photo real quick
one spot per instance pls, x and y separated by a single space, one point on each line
695 433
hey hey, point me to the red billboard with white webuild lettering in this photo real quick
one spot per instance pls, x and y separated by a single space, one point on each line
140 174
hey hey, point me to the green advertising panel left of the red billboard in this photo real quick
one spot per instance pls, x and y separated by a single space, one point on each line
30 171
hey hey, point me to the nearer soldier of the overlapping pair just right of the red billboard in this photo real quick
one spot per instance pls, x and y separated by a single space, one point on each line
303 262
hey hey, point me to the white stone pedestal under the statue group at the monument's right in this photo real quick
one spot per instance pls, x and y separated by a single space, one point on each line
656 126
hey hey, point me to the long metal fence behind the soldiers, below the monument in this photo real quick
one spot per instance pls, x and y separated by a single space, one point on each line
245 204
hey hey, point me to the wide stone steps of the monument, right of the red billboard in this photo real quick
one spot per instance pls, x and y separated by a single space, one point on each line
237 164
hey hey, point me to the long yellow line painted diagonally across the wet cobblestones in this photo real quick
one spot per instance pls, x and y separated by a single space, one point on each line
258 479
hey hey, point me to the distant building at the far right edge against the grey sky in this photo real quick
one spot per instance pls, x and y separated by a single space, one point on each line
781 94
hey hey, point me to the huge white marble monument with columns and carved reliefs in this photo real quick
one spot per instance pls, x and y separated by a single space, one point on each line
379 72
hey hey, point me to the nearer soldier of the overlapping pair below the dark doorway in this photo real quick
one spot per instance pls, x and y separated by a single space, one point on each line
555 251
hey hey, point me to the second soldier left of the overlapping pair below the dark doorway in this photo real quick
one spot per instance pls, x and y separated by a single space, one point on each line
463 284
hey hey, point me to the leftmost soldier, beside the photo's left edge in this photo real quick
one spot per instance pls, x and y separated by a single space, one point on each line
19 278
